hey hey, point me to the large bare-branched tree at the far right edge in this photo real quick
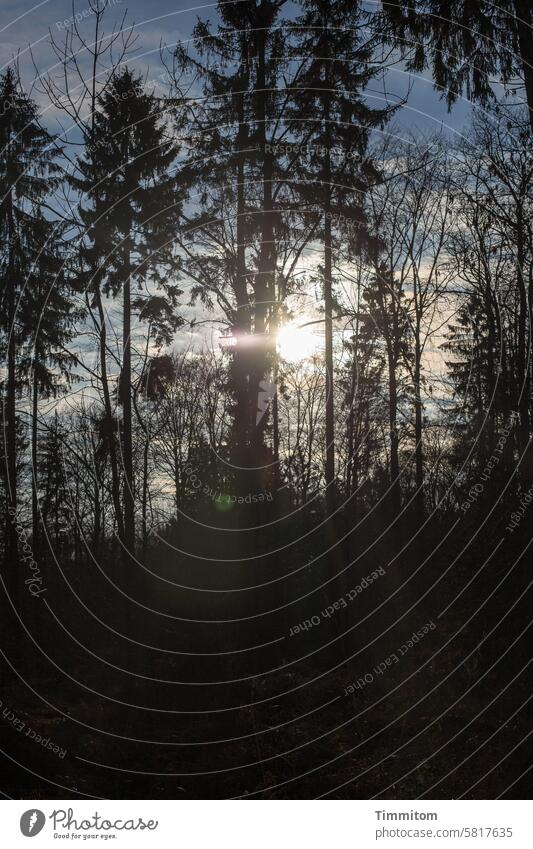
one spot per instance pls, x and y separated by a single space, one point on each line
492 251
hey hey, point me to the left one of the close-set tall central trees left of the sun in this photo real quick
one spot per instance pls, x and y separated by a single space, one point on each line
218 229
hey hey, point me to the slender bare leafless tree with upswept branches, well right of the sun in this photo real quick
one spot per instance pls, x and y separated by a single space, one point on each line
411 214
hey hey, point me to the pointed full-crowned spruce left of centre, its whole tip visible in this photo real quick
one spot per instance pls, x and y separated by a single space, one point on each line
134 212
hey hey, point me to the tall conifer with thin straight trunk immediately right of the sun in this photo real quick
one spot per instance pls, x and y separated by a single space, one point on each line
329 91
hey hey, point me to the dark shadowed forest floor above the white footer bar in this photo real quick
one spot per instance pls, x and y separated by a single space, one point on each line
449 717
